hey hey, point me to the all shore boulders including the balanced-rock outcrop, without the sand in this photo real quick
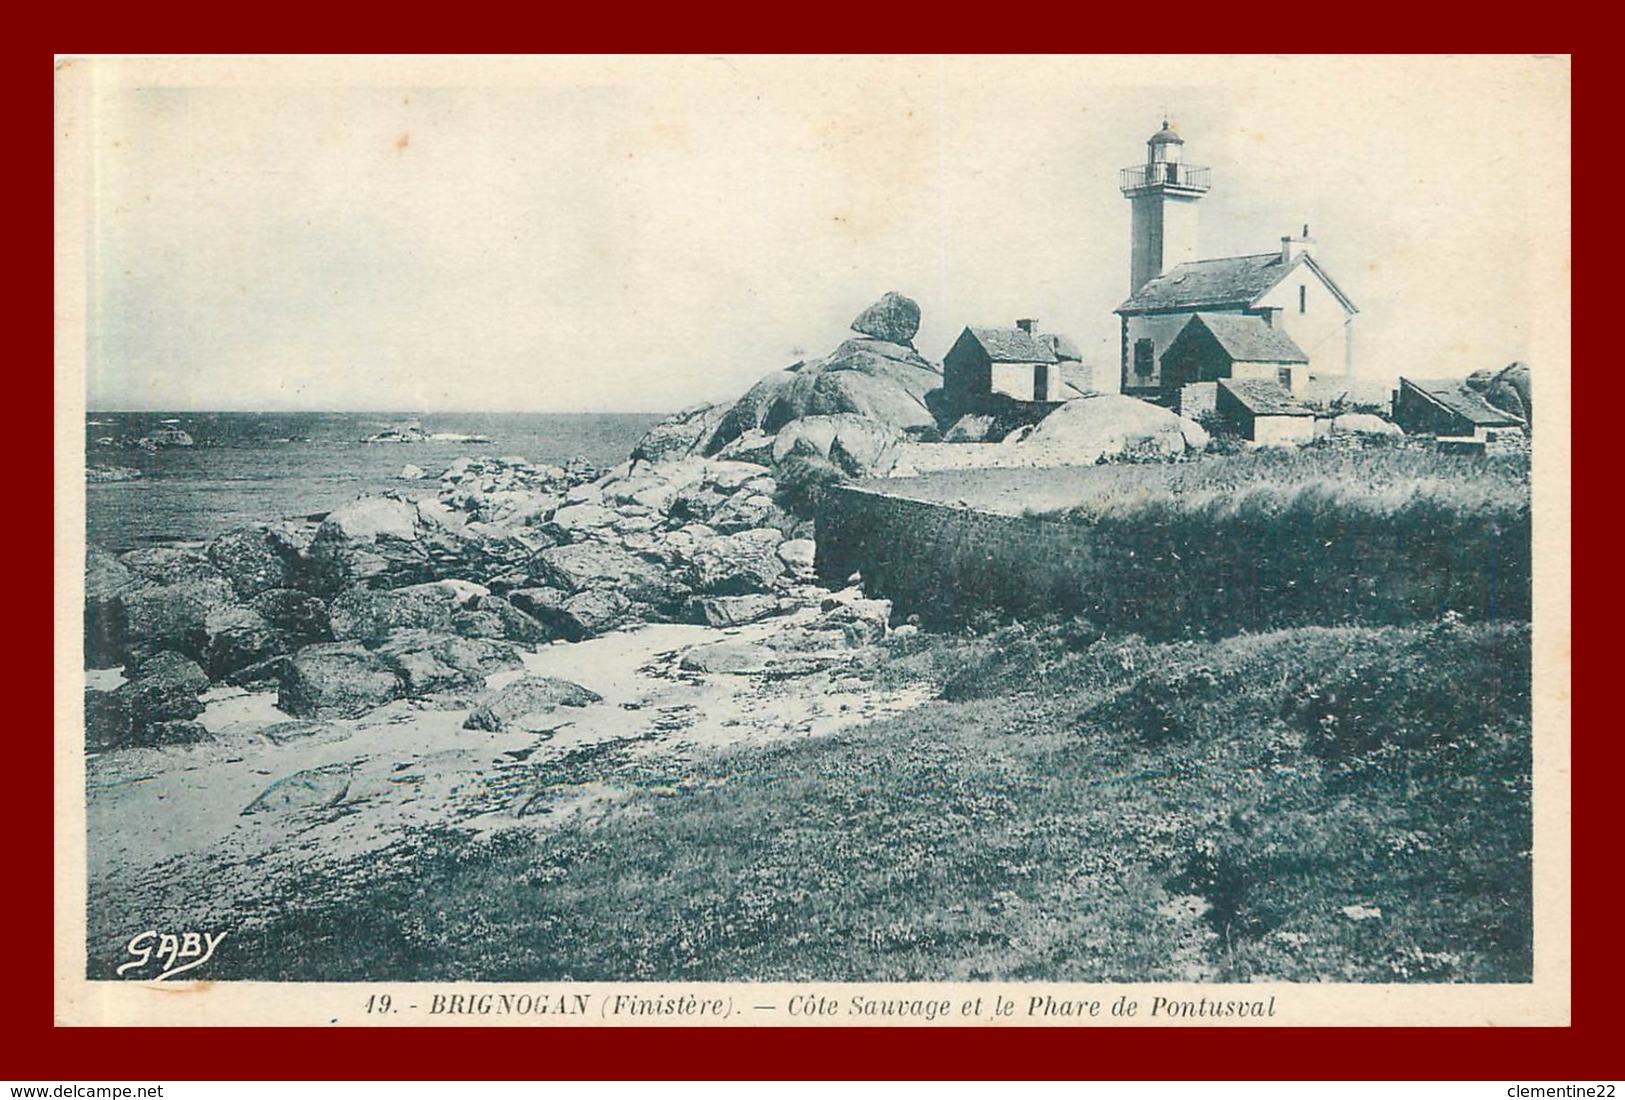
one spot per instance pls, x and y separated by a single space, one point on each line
427 599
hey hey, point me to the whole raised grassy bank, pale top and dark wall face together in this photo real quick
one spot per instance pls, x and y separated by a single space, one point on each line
1389 534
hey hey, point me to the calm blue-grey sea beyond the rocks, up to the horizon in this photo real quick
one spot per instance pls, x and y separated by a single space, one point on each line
259 467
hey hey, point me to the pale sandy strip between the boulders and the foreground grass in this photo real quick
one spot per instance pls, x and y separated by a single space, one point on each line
412 764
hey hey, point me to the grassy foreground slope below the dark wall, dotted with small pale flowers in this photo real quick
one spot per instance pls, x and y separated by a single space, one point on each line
1319 803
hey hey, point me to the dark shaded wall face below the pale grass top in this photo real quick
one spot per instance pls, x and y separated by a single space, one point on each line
1171 576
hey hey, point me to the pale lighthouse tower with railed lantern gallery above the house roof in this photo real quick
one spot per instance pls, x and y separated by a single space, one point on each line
1164 193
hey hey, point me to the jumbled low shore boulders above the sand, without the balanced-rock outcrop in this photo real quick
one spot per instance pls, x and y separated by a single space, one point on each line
394 599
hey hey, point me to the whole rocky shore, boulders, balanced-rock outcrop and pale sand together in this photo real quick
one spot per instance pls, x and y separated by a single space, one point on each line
295 695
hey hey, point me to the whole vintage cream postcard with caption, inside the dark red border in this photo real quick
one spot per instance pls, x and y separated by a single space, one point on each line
813 542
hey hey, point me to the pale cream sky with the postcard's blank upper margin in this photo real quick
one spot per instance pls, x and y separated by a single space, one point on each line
641 235
